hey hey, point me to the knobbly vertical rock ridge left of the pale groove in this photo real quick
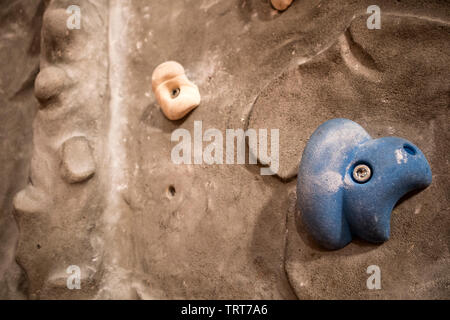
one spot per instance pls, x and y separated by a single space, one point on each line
60 220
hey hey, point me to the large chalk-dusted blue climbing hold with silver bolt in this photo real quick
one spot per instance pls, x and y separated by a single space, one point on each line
348 183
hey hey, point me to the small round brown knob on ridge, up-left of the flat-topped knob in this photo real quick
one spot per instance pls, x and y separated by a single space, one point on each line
49 83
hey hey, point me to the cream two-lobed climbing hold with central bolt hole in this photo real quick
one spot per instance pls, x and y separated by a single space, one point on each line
175 93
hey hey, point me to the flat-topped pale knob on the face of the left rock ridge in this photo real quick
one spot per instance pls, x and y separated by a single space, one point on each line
77 161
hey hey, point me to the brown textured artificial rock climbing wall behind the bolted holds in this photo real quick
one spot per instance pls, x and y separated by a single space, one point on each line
140 226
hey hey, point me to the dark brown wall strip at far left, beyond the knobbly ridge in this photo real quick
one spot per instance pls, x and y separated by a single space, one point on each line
20 24
